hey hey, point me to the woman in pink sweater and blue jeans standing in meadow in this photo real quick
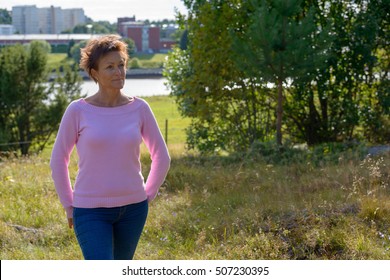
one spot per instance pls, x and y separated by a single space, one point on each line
109 203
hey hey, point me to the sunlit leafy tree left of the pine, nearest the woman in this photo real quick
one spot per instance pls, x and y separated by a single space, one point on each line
229 110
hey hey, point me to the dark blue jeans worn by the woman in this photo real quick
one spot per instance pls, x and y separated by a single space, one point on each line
110 233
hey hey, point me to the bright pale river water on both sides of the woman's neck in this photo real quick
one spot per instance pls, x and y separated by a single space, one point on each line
141 87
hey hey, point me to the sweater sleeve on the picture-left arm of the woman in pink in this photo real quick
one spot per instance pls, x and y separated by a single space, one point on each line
59 162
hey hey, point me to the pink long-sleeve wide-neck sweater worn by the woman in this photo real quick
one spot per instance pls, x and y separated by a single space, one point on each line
108 145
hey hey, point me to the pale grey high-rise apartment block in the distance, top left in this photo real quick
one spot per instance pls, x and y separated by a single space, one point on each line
52 20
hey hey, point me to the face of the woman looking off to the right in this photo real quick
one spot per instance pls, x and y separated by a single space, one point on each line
111 71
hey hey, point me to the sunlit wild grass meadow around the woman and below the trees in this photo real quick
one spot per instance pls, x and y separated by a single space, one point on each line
217 208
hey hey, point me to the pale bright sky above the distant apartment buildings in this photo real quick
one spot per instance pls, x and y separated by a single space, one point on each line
110 10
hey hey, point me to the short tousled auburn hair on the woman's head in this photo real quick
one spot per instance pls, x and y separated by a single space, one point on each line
99 47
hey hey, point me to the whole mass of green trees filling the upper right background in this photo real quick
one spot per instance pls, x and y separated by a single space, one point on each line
322 64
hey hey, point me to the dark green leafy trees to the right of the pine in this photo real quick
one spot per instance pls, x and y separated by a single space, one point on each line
351 91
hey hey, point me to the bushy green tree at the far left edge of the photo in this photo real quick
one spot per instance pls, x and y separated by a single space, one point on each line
22 76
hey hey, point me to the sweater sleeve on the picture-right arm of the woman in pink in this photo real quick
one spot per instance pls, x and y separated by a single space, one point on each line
155 143
